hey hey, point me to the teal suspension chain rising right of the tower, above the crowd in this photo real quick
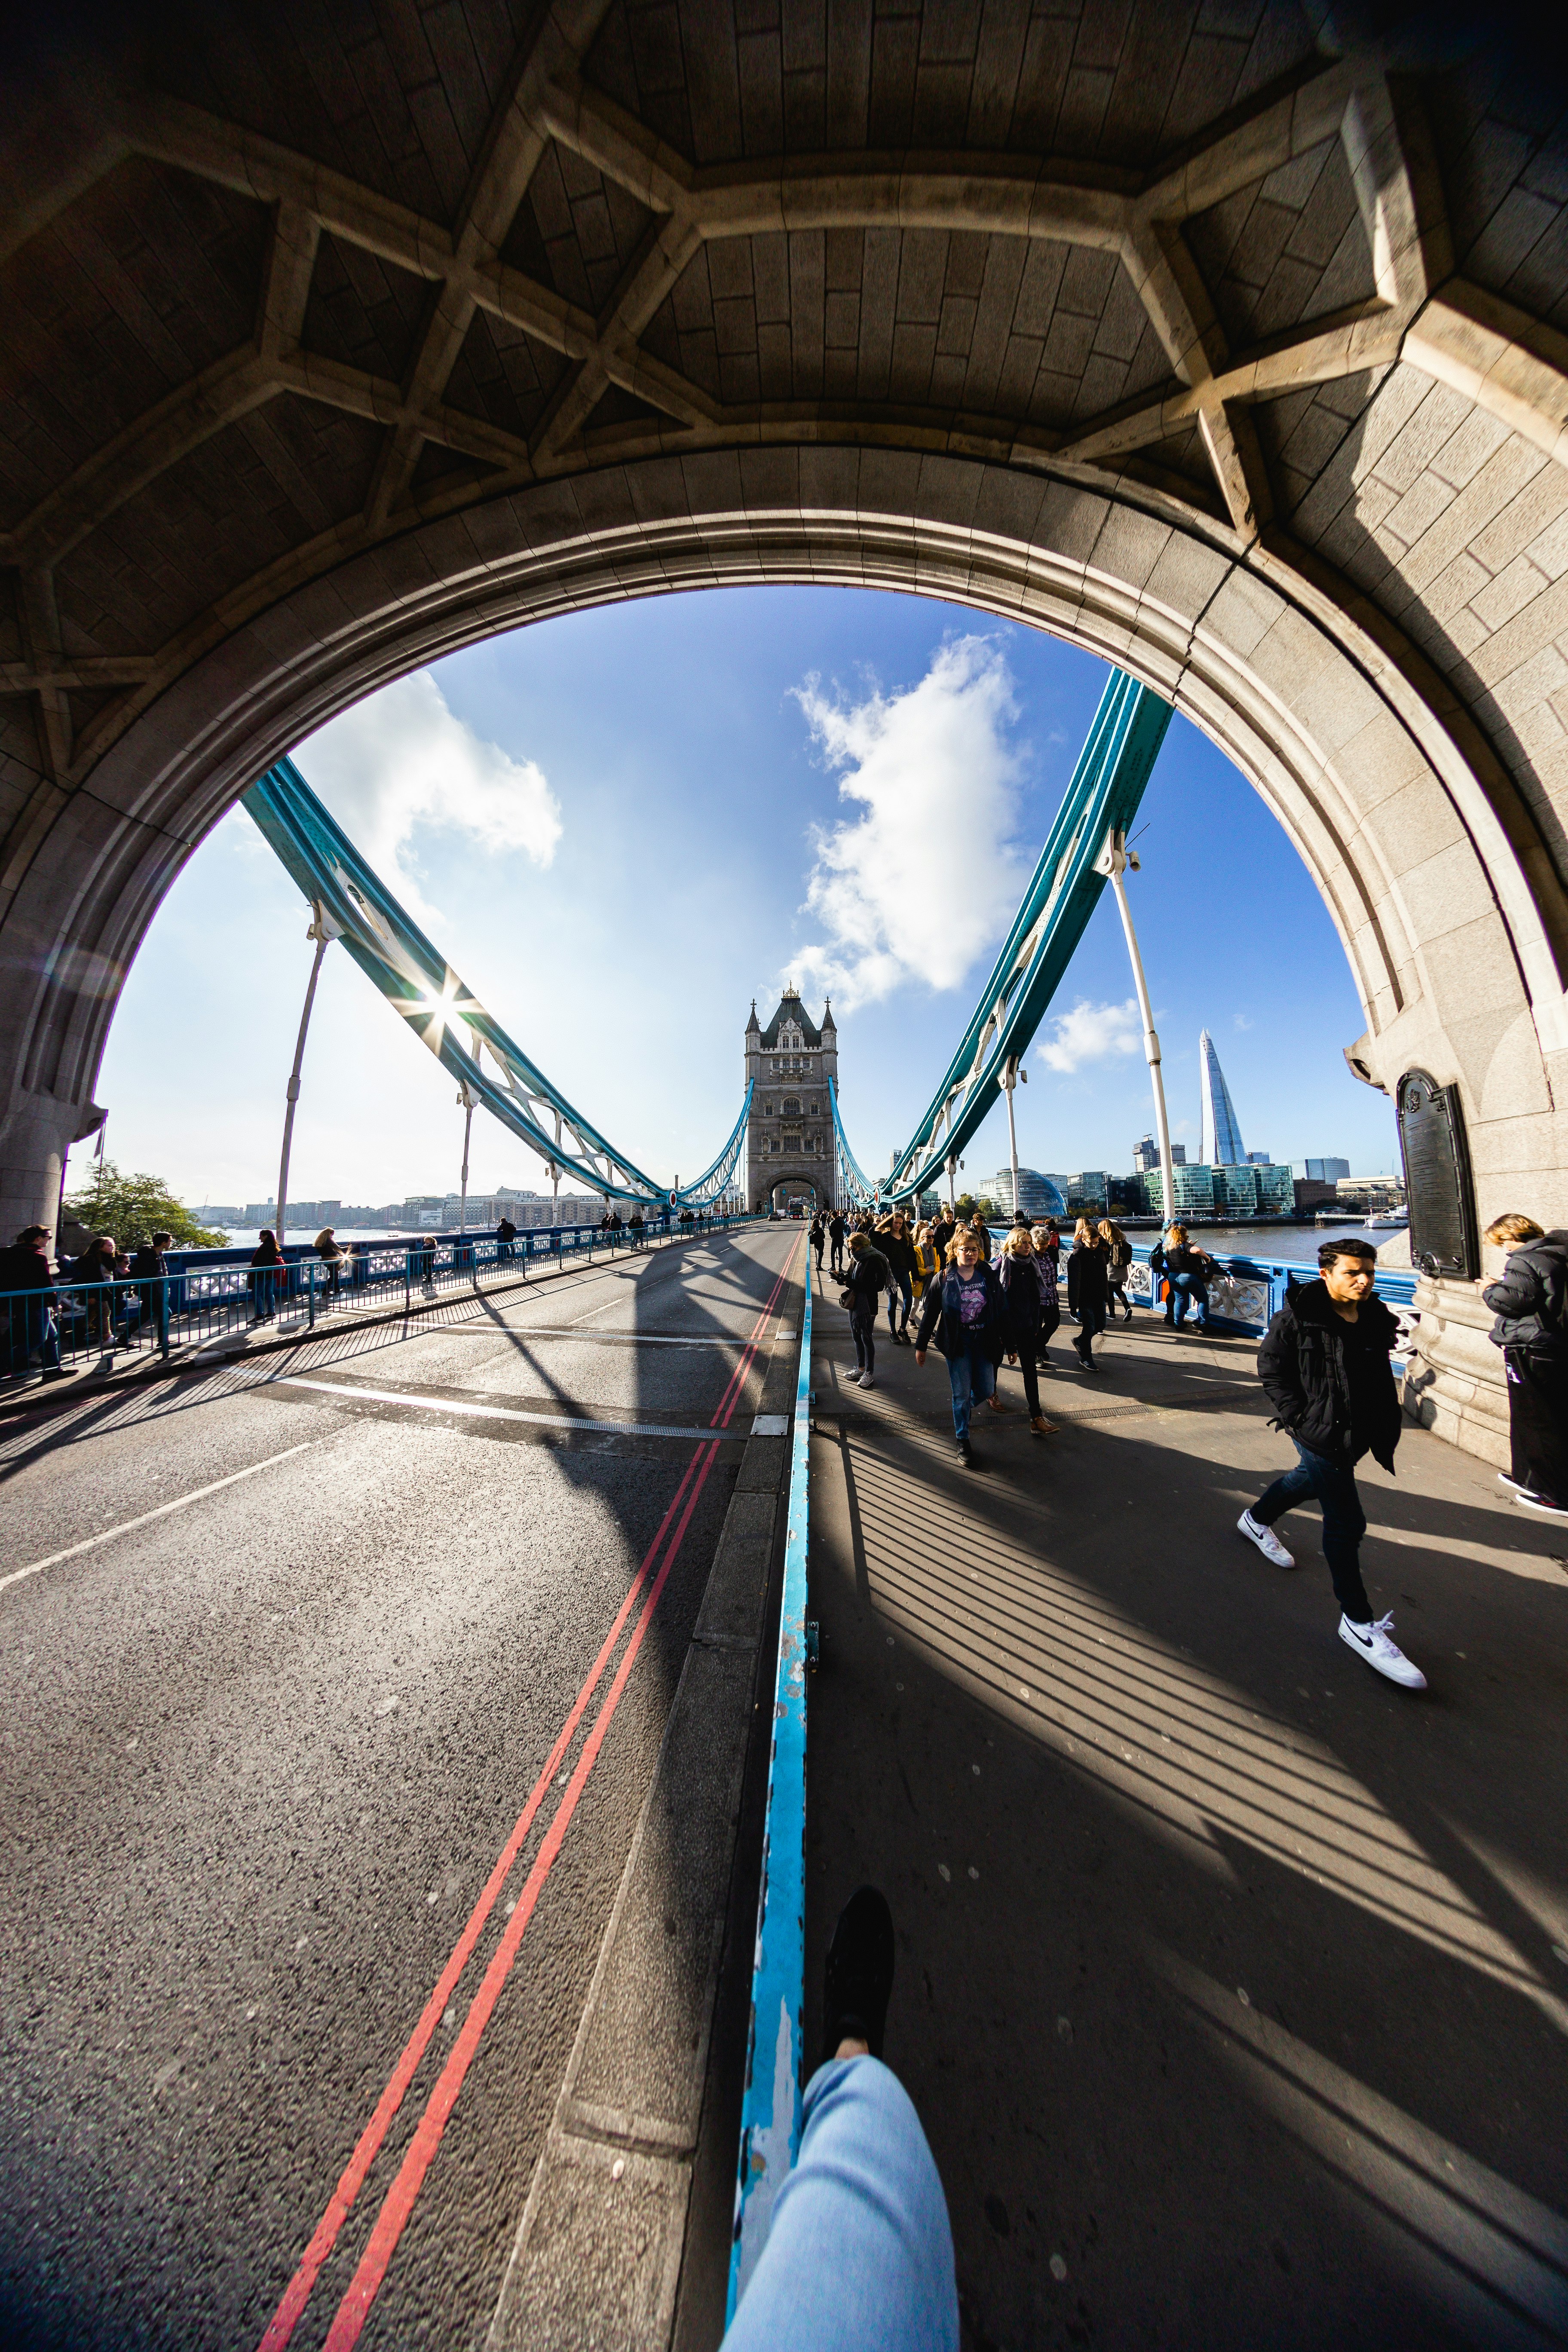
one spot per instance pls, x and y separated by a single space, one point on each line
1064 893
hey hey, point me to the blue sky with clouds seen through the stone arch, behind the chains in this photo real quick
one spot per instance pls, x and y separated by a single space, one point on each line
624 824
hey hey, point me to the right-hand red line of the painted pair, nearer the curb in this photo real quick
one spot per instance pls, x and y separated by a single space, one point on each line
398 2205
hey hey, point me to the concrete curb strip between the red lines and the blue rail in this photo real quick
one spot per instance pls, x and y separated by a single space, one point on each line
608 2233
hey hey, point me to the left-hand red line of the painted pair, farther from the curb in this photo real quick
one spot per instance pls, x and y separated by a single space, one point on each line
326 2236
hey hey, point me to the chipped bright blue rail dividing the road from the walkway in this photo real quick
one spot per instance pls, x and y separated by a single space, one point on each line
775 2047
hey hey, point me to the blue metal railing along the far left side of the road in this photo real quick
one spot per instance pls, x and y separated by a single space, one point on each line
210 1295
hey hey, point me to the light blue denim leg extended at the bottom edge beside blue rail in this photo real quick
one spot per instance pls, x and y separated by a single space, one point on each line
859 2252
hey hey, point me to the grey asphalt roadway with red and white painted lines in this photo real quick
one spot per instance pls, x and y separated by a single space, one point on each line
262 1758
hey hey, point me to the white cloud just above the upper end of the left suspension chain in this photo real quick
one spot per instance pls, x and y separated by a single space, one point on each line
403 761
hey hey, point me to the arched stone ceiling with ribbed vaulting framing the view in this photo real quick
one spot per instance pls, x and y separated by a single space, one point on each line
321 321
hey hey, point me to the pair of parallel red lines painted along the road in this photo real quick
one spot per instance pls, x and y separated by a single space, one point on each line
406 2189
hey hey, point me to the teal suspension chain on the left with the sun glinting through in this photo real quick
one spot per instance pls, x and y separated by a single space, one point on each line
420 984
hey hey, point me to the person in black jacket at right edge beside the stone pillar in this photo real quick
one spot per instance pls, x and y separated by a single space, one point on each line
1532 1309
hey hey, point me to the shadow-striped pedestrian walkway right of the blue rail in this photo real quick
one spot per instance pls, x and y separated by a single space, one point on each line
1233 1984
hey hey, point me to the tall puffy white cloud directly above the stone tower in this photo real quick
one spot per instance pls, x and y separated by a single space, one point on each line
923 881
